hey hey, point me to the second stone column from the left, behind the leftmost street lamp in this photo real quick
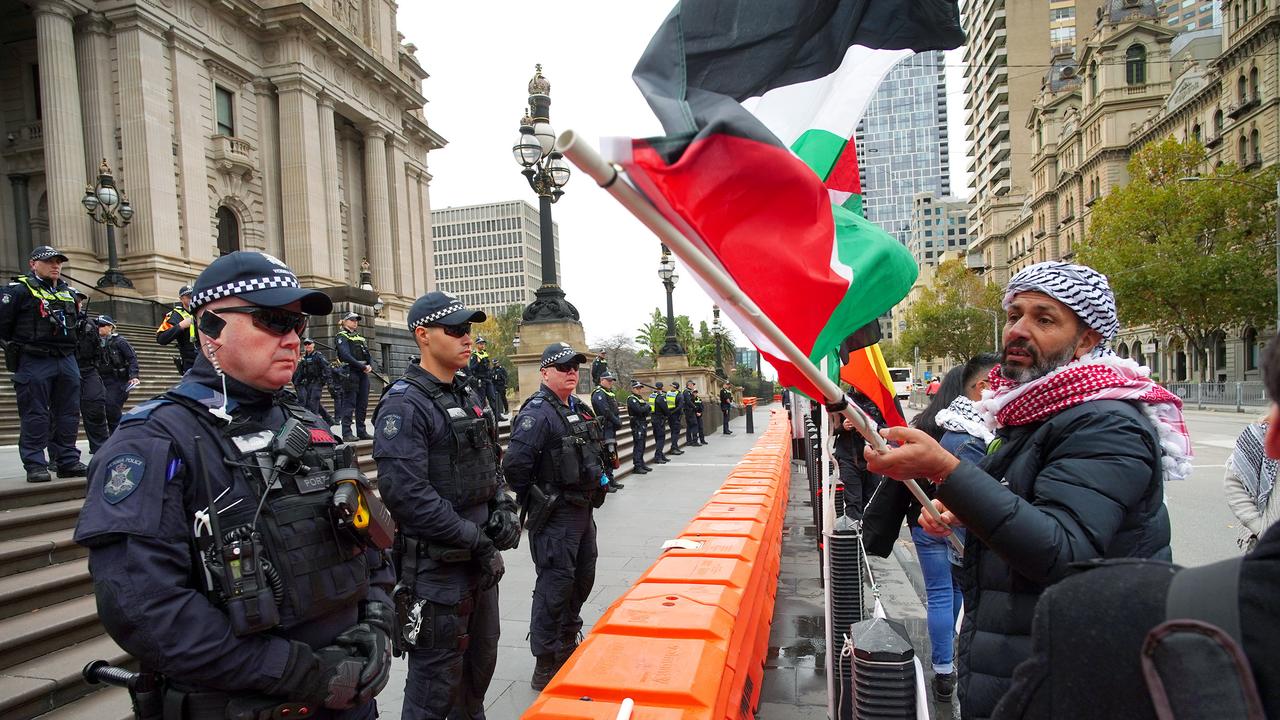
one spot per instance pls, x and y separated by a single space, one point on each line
95 84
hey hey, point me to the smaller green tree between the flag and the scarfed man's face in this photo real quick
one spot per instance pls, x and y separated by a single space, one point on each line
954 317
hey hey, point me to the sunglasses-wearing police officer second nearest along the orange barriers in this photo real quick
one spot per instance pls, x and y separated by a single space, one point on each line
437 453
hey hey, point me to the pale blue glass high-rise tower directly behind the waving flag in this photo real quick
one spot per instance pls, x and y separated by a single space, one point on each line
903 143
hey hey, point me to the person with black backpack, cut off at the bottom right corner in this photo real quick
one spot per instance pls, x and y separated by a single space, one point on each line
1101 637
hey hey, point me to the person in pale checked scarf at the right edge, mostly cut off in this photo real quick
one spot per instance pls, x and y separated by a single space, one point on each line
1250 479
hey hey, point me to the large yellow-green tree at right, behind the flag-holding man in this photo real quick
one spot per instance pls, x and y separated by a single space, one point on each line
1192 258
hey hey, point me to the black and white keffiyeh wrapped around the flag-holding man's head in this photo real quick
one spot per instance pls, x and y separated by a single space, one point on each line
1082 289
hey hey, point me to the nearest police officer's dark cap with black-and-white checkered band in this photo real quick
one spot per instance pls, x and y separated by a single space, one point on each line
259 279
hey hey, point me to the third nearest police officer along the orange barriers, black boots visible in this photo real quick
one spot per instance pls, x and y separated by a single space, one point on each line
555 464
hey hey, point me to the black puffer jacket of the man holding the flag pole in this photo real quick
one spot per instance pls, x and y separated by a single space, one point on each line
1086 484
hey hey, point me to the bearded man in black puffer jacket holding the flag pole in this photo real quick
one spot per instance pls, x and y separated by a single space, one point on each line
1075 473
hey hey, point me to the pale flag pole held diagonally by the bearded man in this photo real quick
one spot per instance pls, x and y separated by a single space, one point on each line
607 176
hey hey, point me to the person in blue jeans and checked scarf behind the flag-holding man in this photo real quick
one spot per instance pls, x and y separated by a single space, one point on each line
952 420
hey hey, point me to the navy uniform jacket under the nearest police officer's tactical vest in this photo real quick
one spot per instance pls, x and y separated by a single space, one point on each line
139 521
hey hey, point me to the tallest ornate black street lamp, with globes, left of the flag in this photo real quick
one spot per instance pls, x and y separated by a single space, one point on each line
547 174
